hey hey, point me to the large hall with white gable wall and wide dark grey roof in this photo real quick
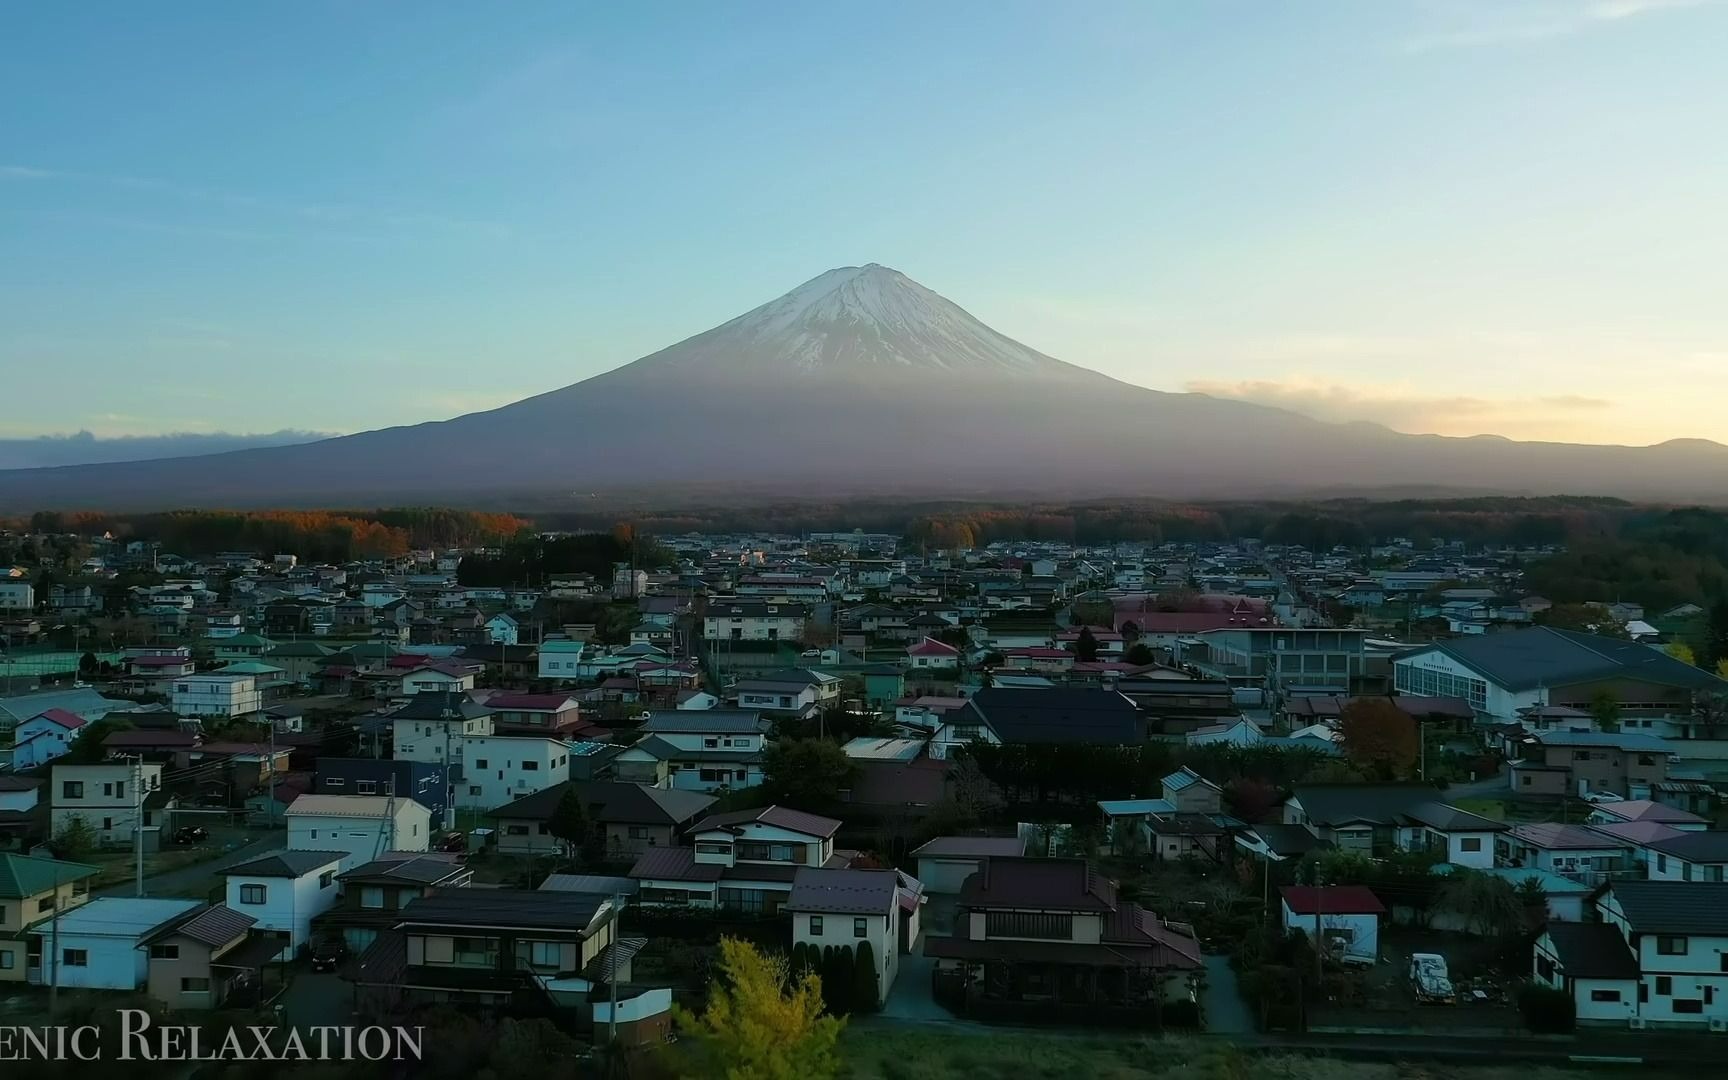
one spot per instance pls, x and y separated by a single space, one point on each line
1504 675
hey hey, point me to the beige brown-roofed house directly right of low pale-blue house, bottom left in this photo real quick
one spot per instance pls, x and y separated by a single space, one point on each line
201 960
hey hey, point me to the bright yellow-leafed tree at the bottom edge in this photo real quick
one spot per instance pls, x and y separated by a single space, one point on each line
759 1024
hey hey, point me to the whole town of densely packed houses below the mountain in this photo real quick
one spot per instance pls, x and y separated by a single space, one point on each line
400 753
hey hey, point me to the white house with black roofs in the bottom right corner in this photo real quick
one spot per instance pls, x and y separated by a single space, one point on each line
1655 960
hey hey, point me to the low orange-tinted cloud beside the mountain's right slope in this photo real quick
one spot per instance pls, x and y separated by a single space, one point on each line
1411 410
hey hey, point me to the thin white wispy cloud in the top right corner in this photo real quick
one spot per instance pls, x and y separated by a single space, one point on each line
1471 23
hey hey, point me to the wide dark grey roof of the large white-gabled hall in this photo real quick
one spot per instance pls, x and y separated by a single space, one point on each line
1553 658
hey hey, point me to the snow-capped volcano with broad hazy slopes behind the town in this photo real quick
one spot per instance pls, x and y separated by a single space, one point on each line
863 383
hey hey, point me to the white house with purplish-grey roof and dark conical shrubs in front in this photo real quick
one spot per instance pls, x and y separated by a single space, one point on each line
848 908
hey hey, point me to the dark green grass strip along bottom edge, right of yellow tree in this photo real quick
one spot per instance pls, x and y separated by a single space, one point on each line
877 1053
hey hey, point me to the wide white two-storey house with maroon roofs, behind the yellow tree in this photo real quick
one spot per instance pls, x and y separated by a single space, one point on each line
740 861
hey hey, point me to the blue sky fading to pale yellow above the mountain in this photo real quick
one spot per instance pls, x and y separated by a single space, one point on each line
1456 217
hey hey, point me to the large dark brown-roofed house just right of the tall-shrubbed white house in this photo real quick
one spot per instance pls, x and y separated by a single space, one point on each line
1051 941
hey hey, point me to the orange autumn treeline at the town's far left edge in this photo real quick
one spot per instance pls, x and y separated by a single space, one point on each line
312 535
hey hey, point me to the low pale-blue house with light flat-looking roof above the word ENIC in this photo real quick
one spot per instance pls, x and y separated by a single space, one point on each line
96 948
